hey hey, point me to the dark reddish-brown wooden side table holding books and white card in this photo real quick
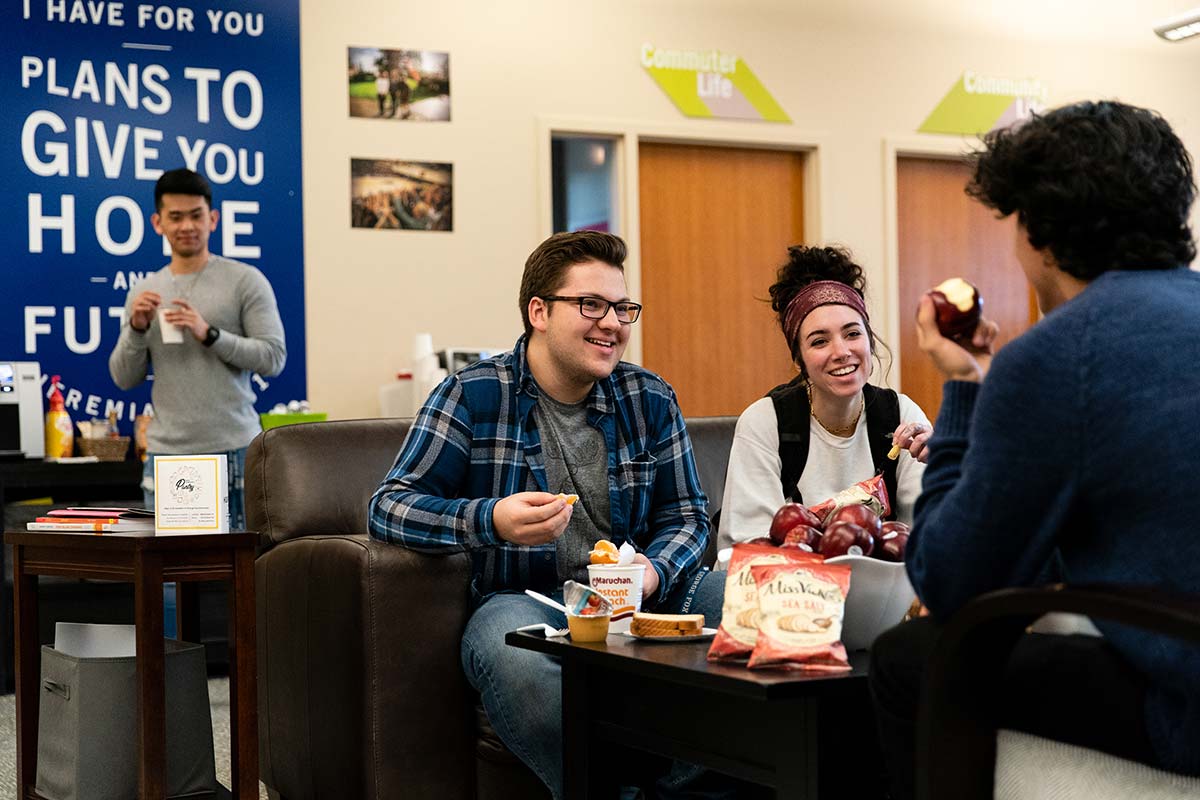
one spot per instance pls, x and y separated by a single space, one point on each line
147 562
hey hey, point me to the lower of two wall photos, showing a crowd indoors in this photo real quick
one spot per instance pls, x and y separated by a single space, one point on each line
401 195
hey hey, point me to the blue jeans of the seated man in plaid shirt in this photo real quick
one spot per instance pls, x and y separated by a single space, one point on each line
523 691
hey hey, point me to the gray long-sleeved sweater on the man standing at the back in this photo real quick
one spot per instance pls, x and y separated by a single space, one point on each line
202 398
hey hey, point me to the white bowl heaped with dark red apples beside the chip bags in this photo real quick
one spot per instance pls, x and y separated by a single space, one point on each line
880 593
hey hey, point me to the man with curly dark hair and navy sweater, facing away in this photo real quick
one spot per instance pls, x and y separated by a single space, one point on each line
1070 450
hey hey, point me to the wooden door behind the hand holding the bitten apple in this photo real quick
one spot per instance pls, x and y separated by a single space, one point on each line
944 234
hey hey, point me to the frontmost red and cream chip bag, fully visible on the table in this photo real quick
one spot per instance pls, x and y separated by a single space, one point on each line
802 607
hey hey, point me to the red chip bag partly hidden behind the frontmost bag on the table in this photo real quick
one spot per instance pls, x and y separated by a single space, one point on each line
739 631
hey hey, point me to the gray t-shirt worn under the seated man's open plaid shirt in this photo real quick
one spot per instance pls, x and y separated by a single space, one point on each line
577 464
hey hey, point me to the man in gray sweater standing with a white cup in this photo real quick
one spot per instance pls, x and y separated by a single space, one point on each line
206 324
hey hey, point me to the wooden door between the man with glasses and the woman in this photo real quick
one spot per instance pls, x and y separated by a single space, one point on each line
716 224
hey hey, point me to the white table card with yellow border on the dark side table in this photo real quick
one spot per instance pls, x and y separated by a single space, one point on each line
191 495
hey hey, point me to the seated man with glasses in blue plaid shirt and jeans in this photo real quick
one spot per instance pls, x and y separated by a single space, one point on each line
496 446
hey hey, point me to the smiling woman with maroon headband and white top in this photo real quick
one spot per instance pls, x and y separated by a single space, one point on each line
837 429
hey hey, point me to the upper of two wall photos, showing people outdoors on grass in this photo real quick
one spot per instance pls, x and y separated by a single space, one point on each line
400 85
